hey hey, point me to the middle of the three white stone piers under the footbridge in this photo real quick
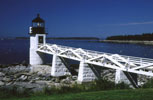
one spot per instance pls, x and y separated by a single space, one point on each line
85 74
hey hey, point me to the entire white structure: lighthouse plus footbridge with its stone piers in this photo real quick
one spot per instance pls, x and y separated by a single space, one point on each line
127 67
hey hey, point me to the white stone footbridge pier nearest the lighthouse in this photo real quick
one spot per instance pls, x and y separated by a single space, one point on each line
58 67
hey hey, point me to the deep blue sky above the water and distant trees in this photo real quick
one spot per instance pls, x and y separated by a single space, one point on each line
77 18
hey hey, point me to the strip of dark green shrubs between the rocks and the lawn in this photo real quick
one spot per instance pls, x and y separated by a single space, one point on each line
96 85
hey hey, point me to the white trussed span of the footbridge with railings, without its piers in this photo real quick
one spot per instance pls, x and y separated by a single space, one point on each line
132 64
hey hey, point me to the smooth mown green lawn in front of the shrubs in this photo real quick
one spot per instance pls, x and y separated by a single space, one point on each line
138 94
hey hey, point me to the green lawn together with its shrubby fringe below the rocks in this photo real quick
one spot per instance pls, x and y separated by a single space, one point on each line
97 90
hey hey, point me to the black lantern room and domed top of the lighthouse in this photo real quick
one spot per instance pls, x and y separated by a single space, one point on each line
38 26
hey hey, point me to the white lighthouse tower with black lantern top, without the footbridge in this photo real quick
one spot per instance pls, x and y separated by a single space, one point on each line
37 36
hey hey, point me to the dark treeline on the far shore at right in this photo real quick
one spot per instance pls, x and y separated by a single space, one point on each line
142 37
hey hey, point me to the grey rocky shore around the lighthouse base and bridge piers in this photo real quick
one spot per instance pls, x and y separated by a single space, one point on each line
39 77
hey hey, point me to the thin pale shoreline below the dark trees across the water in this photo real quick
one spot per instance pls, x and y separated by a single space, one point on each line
130 42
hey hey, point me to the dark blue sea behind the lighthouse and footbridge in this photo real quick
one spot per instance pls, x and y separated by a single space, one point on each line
17 51
